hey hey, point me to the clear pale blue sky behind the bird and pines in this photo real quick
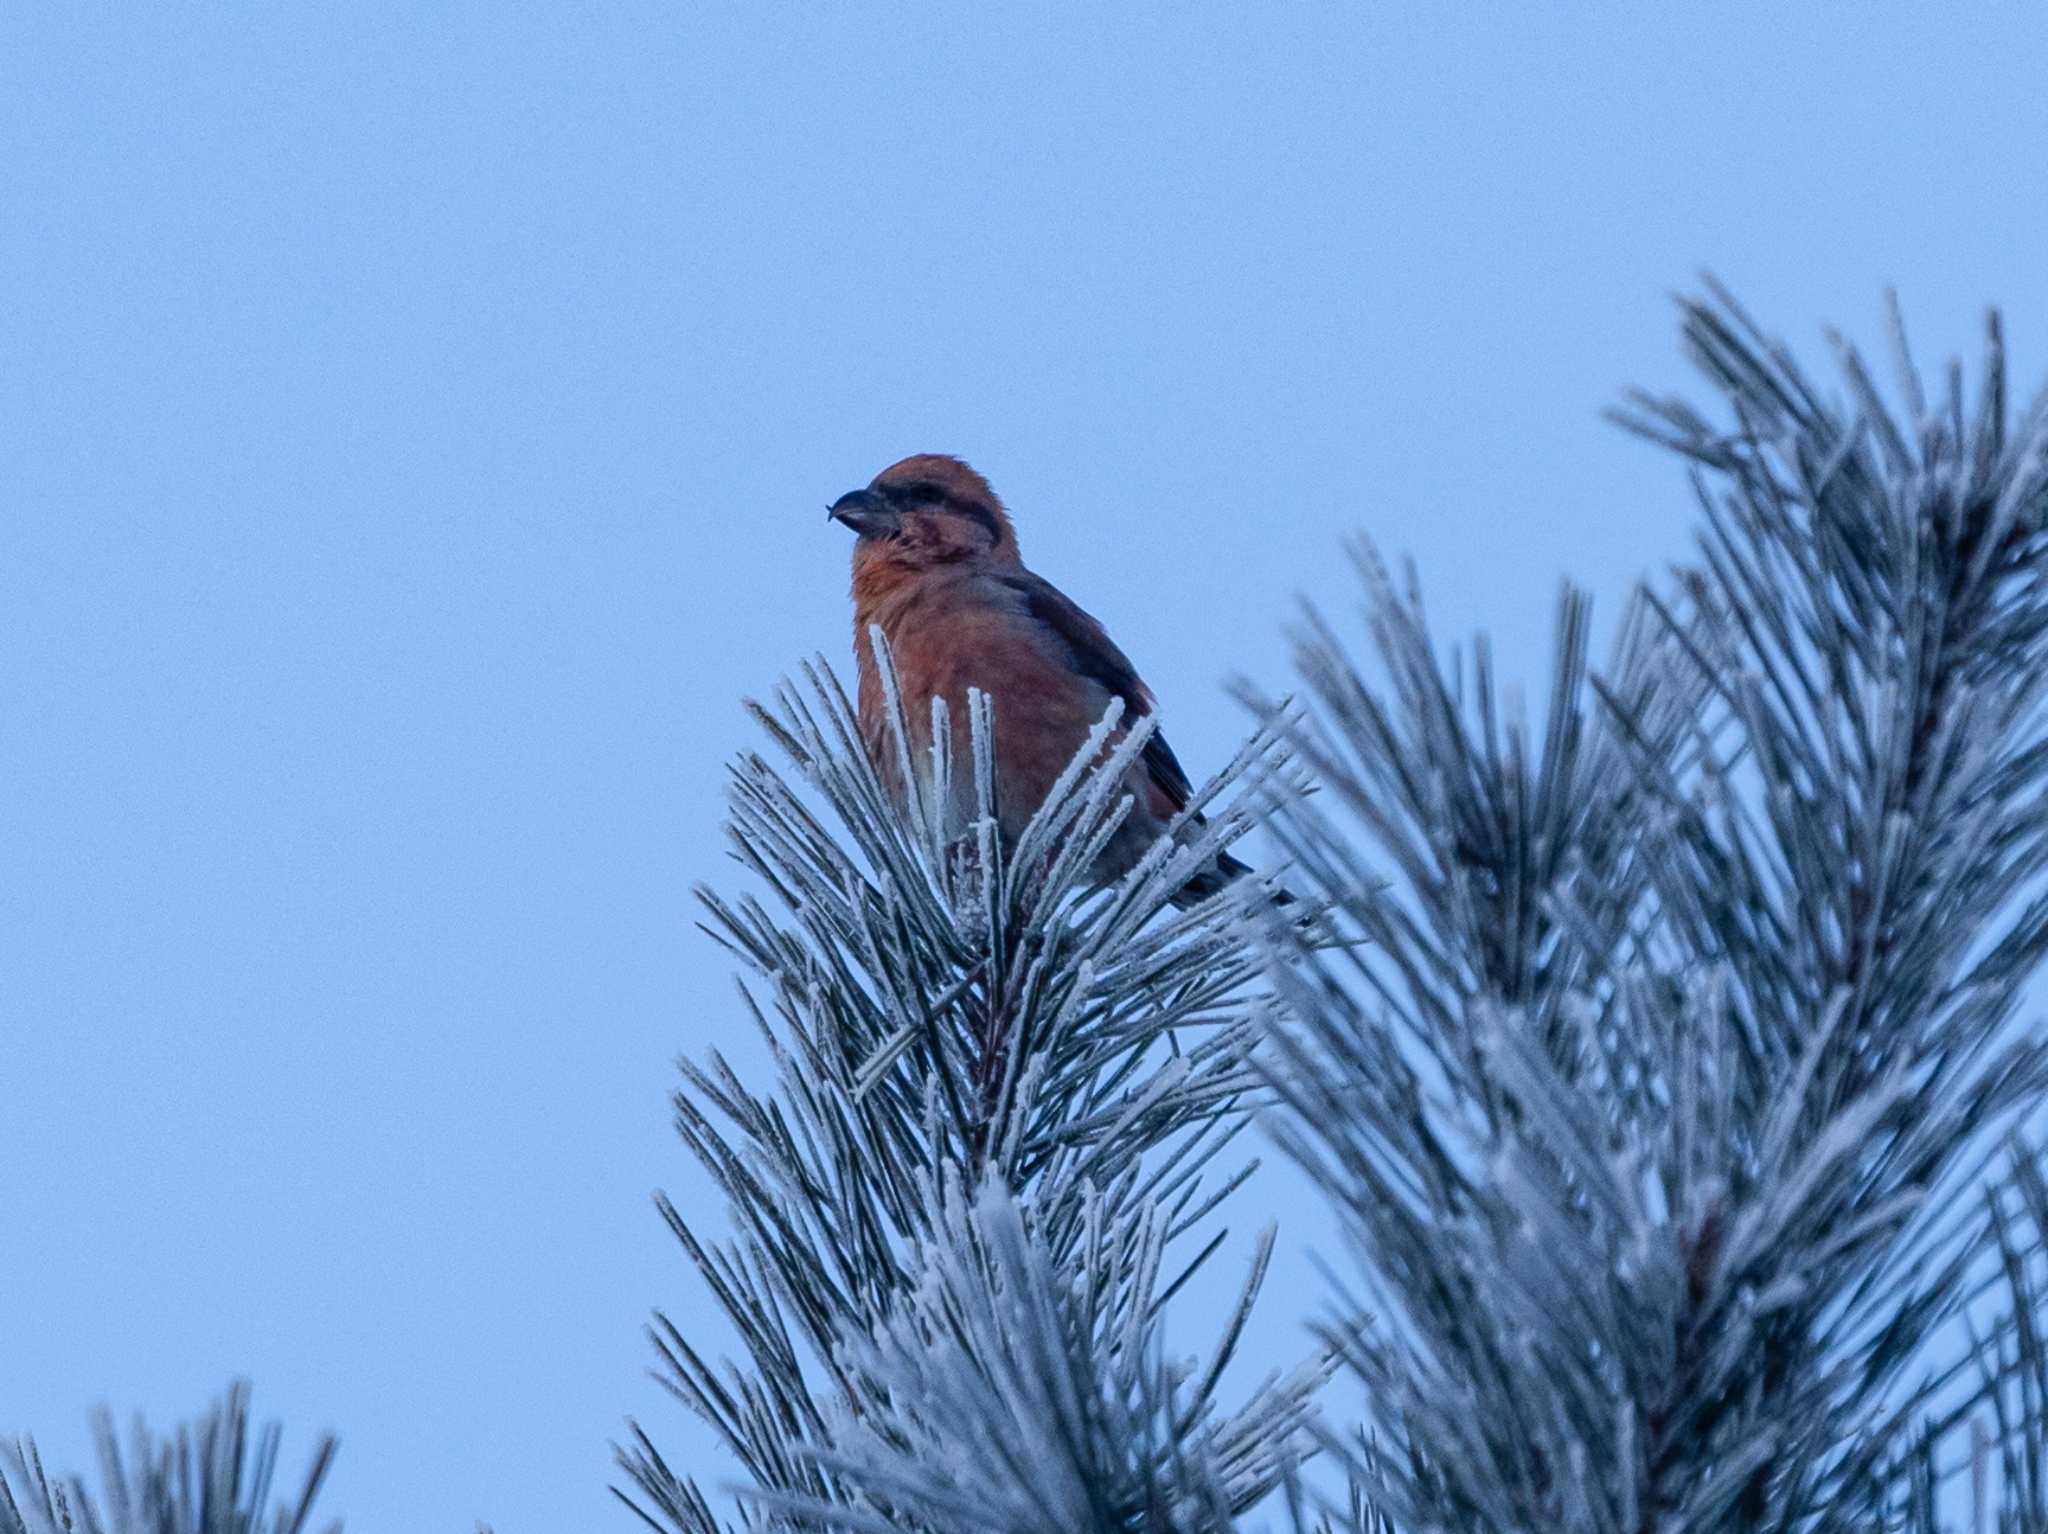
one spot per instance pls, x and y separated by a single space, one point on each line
413 437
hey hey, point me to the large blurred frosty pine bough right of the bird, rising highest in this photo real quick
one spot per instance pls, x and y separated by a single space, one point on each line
1676 1031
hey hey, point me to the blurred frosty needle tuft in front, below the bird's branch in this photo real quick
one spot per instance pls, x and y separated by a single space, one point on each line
994 1408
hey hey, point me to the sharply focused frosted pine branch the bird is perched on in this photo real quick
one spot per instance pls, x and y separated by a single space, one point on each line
949 1013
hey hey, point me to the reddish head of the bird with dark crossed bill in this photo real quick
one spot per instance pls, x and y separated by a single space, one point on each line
925 513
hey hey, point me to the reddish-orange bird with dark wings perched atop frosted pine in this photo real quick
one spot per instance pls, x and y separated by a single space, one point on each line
937 568
